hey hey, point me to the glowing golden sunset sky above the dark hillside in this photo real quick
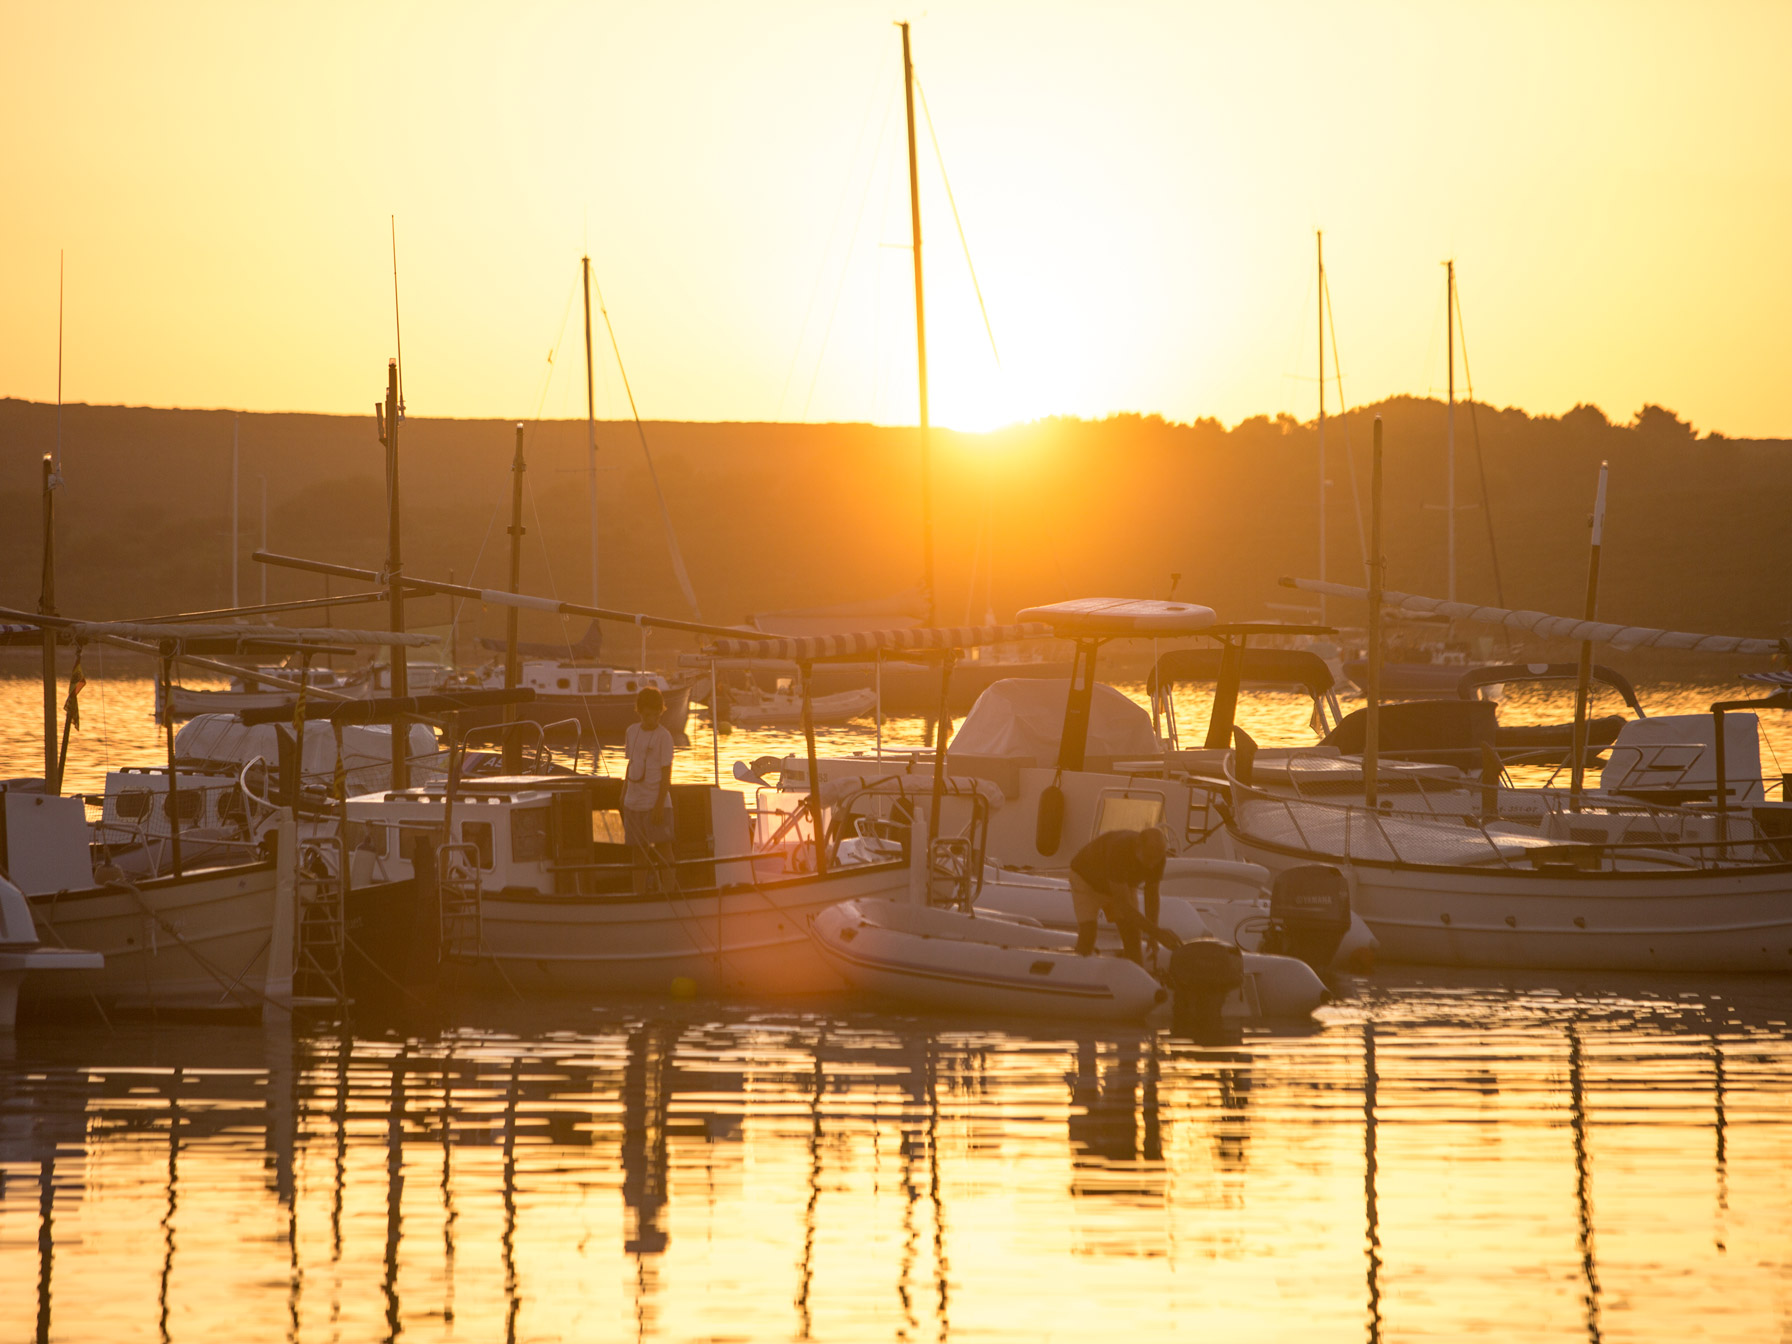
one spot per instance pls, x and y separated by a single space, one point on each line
1139 185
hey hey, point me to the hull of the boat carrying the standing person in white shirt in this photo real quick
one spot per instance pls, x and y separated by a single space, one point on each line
734 942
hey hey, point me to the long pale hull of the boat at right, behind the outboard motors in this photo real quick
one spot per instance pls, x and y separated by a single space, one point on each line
1515 918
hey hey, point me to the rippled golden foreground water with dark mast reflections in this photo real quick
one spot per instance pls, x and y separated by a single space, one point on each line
1424 1162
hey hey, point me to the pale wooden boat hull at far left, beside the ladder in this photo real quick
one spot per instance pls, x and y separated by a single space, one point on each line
198 942
